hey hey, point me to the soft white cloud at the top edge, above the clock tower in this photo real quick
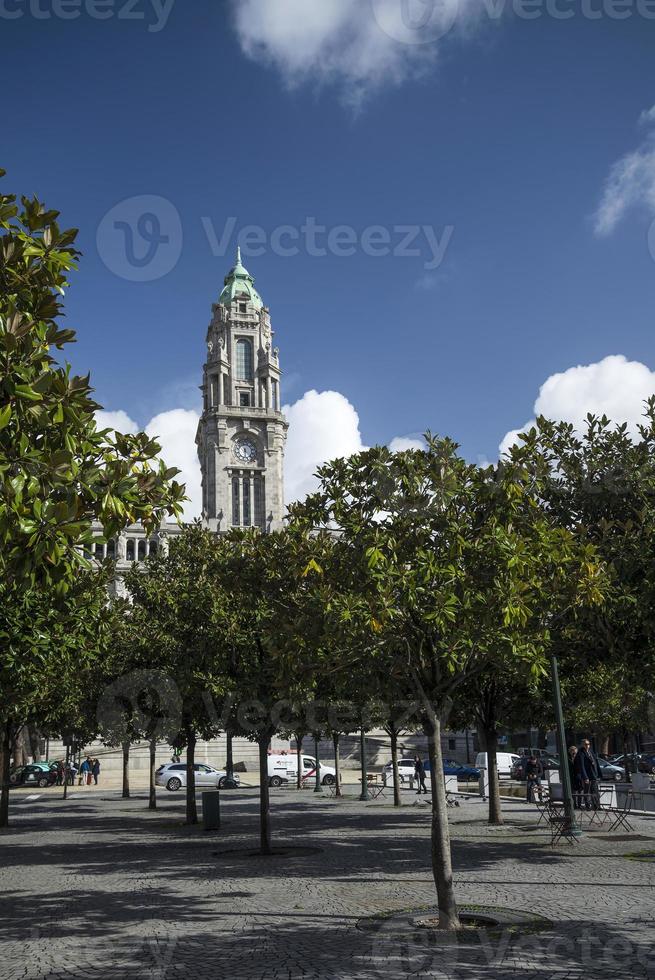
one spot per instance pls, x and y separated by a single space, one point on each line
359 45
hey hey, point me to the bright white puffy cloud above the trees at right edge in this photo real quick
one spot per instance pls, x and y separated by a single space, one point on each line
615 387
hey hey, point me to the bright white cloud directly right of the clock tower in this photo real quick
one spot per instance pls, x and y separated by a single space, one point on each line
322 426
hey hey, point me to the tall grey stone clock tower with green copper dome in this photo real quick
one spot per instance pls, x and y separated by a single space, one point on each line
242 432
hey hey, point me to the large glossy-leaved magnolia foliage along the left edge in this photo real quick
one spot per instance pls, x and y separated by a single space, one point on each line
58 471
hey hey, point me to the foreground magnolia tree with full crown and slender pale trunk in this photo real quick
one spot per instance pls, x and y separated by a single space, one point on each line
448 564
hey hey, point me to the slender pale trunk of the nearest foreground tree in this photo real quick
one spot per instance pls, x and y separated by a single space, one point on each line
442 868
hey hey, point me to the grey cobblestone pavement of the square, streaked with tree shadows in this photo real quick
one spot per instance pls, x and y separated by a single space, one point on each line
99 887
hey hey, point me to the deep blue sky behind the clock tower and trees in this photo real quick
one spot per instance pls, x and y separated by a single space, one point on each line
504 130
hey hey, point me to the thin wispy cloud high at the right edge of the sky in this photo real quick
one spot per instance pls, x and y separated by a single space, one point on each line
631 181
